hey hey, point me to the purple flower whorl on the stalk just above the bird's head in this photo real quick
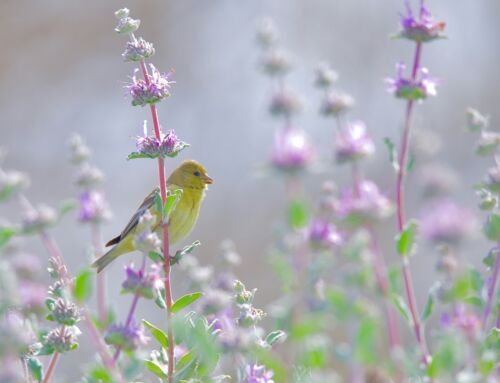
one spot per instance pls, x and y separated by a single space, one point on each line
150 147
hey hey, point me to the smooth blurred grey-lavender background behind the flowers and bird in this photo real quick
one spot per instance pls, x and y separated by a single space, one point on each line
62 72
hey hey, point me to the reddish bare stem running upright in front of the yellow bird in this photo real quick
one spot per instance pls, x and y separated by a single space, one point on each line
166 256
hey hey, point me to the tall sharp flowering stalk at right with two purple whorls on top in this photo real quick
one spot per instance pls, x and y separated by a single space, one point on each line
420 29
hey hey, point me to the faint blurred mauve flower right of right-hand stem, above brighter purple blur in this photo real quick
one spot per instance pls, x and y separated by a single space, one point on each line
437 180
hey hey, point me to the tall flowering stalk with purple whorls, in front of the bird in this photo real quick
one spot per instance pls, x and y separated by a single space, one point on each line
151 89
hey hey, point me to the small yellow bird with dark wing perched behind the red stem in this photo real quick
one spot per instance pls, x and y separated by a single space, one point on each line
193 179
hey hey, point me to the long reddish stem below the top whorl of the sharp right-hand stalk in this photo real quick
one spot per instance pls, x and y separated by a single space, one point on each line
405 267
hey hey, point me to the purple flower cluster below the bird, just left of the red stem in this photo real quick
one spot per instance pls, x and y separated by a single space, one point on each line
141 283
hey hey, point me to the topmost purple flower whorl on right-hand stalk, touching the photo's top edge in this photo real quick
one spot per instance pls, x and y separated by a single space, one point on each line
422 28
